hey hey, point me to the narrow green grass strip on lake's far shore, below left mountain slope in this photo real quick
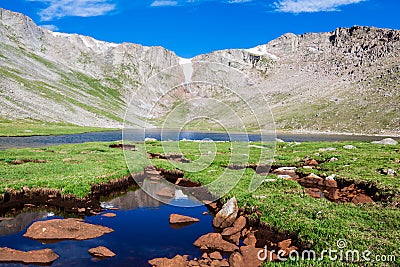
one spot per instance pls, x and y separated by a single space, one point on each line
30 128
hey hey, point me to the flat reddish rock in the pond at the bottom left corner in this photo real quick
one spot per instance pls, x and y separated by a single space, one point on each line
43 256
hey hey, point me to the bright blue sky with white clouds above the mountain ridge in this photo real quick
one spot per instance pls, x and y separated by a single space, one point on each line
192 27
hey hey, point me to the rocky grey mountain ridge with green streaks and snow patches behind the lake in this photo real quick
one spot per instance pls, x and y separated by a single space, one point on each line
347 80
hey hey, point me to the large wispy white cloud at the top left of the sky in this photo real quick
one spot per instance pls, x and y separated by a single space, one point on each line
77 8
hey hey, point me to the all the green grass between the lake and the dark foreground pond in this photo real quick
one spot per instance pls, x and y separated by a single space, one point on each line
284 204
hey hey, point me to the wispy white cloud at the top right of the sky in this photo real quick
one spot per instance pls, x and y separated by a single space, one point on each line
299 6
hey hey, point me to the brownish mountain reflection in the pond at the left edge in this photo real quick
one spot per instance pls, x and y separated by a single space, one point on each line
20 222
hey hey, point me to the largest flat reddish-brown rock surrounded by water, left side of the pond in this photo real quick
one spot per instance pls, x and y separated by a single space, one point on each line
59 229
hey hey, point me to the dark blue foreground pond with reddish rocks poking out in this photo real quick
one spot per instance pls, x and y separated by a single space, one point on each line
141 231
